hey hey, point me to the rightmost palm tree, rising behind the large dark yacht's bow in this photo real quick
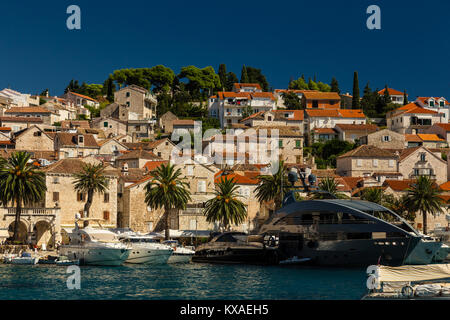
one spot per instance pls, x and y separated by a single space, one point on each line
423 196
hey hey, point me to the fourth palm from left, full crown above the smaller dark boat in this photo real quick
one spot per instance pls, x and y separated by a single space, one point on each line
225 207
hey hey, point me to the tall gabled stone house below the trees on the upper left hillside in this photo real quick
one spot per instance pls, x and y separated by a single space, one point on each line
139 101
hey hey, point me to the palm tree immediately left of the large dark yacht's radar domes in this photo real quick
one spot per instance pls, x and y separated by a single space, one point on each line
274 187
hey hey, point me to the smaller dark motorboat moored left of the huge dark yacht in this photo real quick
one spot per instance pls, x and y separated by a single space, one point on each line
238 248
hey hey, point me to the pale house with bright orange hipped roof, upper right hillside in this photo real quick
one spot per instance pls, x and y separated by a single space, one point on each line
412 118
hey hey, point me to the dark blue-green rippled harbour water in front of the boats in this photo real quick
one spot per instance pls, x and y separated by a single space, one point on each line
184 281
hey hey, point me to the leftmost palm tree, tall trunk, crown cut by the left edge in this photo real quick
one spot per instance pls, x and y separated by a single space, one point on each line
20 183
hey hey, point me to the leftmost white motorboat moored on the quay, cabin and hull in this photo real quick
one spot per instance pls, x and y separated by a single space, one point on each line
92 246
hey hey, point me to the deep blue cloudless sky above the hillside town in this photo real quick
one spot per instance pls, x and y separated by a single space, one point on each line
283 38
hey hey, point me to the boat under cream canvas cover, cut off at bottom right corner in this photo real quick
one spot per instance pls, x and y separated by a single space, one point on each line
420 282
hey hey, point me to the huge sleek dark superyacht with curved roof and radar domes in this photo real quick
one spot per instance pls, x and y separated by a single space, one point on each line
336 232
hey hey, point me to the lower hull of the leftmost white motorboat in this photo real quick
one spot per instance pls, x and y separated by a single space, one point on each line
96 256
